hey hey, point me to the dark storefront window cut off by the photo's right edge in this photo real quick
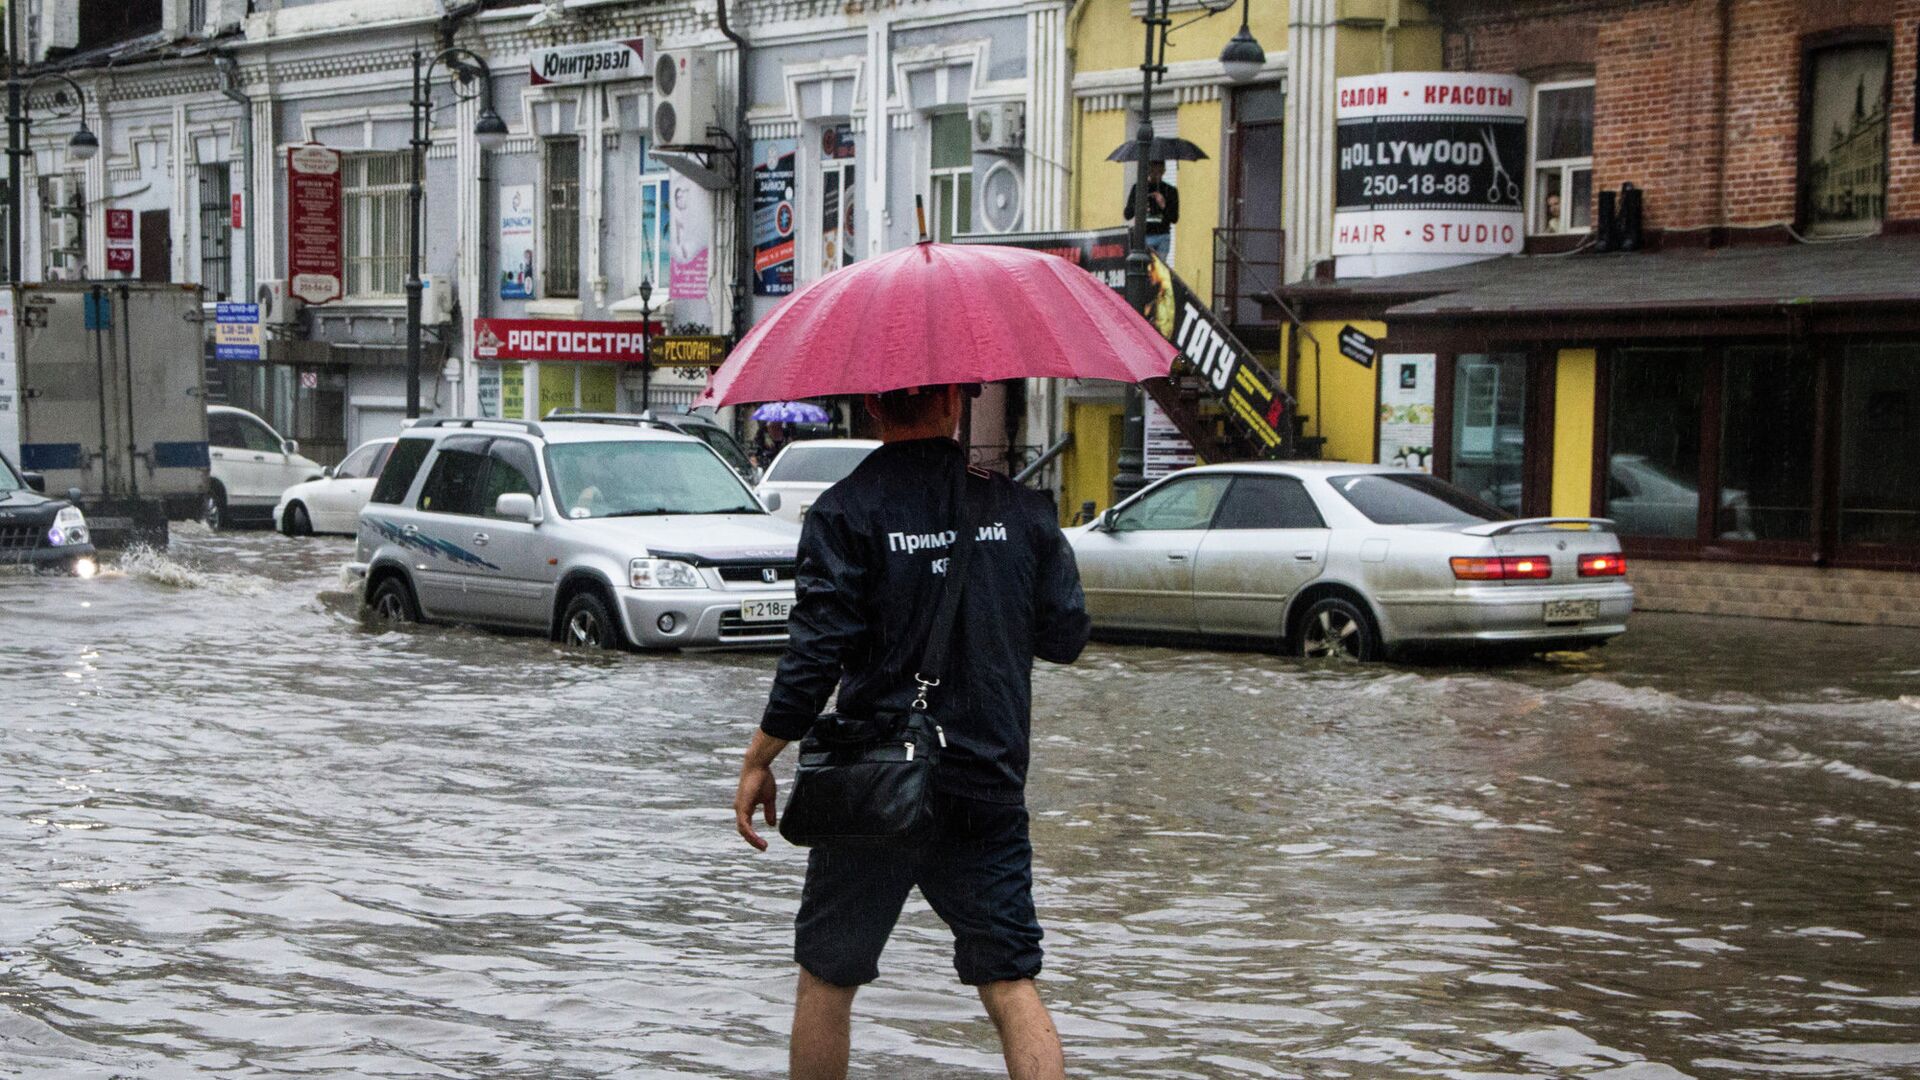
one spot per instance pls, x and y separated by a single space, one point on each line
1881 454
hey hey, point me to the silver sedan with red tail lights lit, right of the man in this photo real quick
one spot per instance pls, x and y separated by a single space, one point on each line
1347 560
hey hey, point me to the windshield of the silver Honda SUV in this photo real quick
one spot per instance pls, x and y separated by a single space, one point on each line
633 479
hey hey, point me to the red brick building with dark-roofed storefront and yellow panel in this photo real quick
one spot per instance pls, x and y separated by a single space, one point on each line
1739 381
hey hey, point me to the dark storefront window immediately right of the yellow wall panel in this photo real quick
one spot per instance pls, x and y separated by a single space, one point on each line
1654 422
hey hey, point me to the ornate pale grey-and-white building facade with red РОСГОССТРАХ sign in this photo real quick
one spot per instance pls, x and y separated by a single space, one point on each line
819 128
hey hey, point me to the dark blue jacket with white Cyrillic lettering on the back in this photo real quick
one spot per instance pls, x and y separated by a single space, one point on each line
871 572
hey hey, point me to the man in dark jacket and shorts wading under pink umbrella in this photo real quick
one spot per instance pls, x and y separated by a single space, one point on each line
863 608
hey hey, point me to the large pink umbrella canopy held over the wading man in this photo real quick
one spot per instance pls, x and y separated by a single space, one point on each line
942 314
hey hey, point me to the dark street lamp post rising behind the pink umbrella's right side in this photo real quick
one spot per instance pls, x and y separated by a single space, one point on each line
1241 61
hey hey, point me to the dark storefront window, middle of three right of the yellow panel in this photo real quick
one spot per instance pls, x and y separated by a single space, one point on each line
1767 422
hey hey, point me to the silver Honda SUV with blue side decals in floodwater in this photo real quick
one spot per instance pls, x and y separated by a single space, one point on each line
598 535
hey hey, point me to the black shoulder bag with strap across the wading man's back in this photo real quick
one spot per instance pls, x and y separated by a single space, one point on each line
869 781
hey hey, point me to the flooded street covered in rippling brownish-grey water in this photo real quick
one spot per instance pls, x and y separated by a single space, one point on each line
247 837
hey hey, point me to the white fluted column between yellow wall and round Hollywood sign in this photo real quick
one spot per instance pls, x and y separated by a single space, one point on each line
1307 195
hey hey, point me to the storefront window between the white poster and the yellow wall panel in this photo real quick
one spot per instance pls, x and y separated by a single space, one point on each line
1491 428
